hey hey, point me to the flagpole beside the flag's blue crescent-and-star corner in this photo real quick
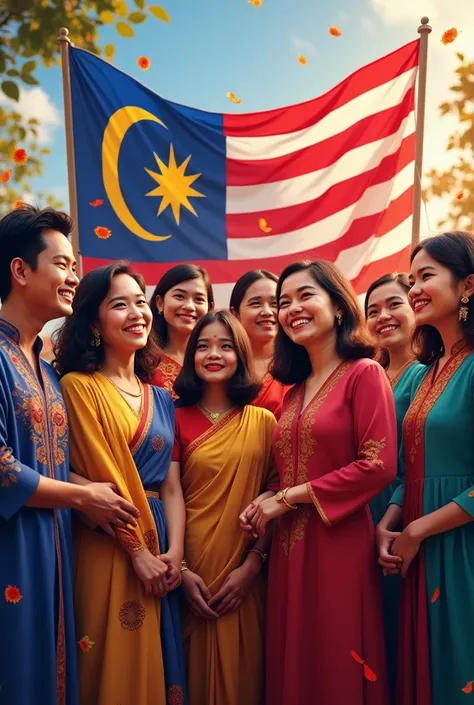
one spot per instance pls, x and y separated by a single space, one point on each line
64 43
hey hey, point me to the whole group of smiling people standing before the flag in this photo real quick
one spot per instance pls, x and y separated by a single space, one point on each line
172 449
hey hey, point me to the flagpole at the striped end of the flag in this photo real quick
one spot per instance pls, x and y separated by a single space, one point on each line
423 30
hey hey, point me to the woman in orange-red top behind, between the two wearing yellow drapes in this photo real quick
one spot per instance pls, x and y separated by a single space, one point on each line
181 298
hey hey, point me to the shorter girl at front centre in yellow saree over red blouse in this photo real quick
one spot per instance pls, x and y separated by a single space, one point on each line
224 447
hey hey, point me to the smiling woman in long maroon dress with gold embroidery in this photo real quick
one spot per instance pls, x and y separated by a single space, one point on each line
335 448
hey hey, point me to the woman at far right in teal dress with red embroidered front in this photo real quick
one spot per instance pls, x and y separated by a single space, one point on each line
435 551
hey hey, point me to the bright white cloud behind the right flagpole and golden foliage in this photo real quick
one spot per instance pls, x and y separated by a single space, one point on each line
442 62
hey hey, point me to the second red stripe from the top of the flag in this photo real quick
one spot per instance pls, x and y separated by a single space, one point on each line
323 154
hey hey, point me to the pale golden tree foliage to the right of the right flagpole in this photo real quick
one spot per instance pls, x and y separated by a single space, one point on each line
458 181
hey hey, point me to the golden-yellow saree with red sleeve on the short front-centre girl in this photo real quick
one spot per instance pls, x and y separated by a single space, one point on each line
223 470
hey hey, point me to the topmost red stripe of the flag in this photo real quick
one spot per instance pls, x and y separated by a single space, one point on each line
298 117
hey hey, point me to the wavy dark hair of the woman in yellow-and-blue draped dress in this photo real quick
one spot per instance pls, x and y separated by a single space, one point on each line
73 349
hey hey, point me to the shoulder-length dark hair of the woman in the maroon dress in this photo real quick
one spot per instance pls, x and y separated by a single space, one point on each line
291 363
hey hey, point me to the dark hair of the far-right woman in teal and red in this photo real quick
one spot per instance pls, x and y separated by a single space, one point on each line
455 251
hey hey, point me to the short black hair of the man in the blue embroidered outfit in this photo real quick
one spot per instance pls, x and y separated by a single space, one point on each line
21 235
